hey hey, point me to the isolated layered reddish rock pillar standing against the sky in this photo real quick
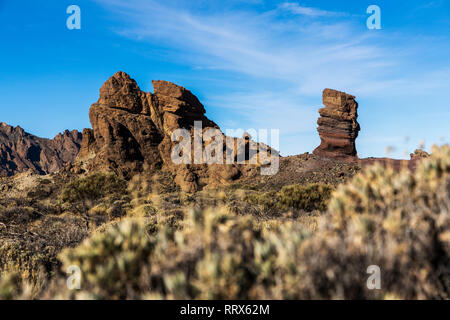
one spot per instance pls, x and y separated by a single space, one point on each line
338 126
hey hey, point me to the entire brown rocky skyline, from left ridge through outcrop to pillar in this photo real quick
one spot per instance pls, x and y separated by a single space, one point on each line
133 132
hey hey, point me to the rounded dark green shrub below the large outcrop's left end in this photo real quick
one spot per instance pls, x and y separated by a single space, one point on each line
93 187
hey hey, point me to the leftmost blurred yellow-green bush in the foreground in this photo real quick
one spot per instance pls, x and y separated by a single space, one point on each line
112 262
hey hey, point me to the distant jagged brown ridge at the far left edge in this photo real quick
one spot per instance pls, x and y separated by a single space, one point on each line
21 151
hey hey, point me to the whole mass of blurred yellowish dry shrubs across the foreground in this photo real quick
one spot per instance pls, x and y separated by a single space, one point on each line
398 221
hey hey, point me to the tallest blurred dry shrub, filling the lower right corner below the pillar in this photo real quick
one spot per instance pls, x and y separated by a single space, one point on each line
398 221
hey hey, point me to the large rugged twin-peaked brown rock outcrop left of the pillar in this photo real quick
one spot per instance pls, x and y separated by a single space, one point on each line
131 133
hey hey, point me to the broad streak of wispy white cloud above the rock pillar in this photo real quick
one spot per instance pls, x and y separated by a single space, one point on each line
259 44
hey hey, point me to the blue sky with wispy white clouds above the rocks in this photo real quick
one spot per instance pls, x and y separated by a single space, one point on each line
253 63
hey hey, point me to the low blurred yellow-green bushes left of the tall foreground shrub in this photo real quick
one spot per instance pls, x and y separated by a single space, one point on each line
216 255
